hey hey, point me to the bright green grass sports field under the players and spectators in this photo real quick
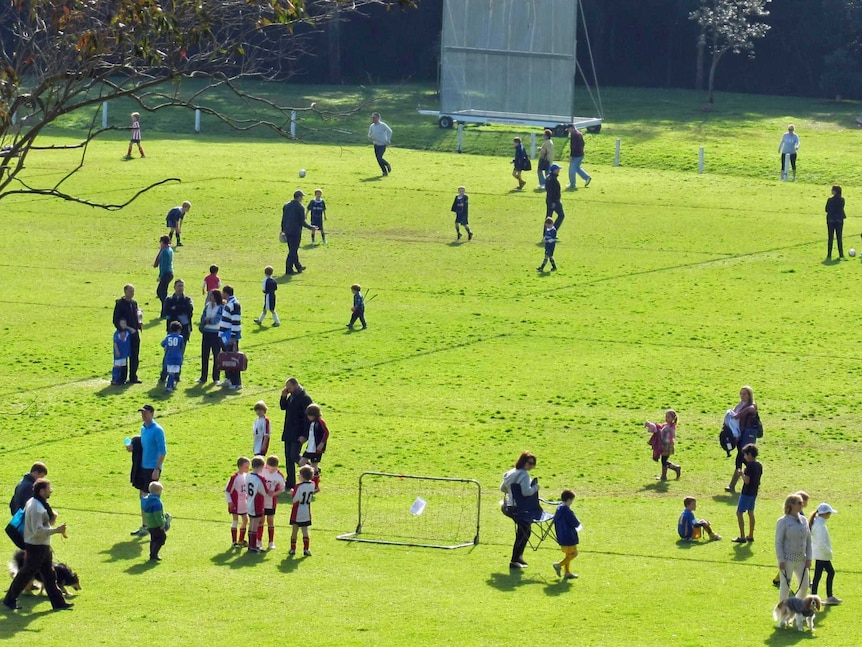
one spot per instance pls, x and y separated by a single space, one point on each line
674 289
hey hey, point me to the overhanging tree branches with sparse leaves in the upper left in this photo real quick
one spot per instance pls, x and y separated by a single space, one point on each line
62 56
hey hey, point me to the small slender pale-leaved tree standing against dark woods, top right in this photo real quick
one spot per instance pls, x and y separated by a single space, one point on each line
729 26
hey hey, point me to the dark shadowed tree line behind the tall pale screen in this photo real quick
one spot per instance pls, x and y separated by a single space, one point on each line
813 48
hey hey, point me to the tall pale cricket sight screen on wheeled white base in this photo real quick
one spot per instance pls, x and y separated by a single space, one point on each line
512 62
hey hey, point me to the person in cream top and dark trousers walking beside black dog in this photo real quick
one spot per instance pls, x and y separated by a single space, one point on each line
38 520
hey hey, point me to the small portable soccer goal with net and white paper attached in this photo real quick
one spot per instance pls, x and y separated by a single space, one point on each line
424 511
